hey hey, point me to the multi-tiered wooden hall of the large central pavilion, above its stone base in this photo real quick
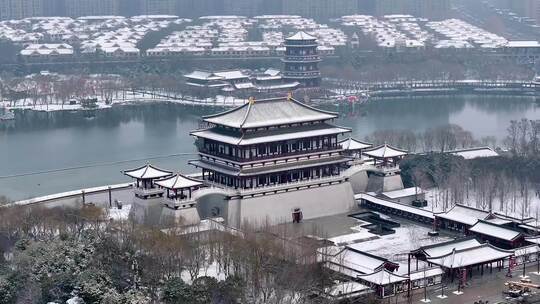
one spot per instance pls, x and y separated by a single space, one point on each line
269 142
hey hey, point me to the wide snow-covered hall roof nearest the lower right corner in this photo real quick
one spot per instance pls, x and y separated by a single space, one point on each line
470 256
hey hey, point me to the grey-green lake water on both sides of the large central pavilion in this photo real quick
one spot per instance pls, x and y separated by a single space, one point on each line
93 152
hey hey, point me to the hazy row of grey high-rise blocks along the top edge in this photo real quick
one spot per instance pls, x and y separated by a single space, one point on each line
317 9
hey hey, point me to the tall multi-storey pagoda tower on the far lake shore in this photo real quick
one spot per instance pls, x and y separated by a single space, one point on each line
301 60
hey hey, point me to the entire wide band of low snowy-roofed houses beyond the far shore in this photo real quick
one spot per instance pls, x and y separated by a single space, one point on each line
233 36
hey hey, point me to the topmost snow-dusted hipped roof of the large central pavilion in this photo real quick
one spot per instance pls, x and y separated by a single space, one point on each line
269 112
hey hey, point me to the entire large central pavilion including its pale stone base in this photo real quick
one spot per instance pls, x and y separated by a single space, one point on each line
279 148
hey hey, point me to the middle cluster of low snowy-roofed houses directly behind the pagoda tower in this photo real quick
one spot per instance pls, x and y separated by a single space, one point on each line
228 36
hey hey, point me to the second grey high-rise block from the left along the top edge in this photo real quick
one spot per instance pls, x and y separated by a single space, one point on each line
77 8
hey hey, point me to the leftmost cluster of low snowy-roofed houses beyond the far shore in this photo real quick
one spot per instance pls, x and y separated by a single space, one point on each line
60 37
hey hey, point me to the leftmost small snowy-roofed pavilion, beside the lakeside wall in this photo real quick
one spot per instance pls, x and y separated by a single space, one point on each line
145 177
